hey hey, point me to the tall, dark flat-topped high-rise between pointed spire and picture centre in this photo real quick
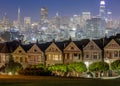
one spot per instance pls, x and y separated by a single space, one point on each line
43 15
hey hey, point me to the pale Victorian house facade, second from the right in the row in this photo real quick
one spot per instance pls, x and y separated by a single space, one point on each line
92 53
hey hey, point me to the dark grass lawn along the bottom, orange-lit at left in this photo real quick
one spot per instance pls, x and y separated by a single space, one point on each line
54 81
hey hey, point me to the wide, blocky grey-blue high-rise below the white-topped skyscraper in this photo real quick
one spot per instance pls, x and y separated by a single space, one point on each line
95 28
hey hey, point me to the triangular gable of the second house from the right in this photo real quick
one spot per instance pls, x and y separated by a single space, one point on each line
91 46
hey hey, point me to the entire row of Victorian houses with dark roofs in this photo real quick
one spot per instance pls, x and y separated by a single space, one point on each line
50 53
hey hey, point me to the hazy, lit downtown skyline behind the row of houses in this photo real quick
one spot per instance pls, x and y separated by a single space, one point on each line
60 27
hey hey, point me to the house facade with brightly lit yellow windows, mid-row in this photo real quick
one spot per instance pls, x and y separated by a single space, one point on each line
53 55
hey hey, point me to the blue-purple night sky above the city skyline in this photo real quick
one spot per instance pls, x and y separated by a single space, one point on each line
64 7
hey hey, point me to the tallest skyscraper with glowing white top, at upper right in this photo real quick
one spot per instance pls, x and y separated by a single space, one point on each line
102 11
